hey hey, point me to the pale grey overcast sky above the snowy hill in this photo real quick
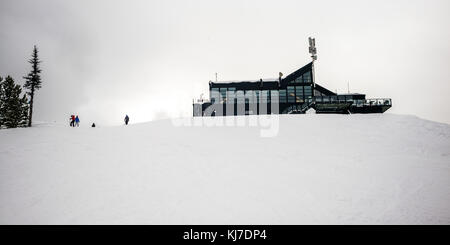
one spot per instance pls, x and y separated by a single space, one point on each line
103 59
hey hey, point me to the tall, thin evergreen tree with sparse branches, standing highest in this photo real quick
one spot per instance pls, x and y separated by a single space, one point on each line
33 81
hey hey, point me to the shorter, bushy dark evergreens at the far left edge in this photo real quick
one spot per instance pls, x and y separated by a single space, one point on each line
13 107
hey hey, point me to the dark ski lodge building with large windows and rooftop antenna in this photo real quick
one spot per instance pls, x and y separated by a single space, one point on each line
294 94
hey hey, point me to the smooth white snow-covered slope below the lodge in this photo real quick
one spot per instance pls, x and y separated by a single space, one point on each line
319 169
